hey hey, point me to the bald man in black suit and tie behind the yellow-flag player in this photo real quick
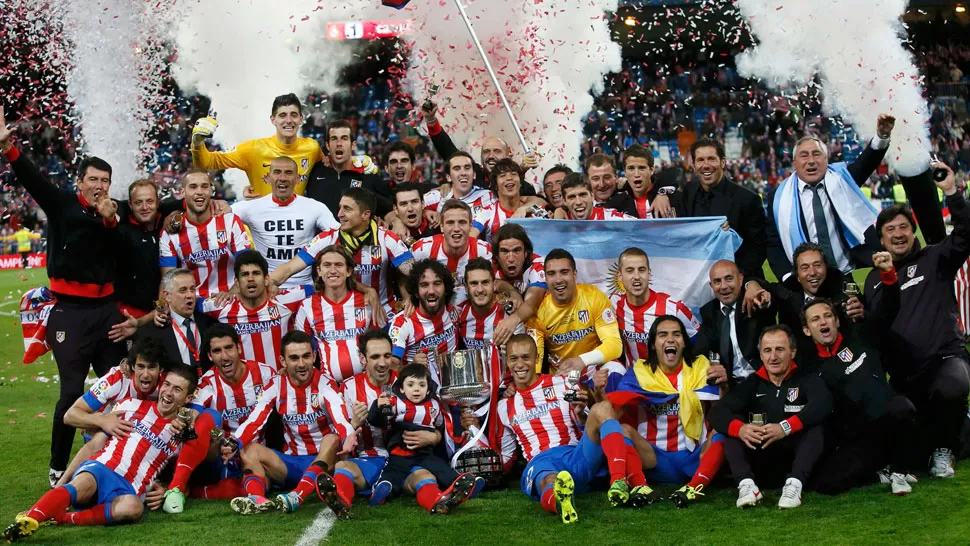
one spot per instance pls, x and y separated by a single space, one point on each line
728 329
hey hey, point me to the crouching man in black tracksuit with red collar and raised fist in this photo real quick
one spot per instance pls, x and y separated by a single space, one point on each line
871 425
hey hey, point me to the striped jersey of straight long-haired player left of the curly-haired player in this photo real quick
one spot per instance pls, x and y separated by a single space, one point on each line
336 326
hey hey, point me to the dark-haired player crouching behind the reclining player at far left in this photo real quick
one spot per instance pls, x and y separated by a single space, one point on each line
136 377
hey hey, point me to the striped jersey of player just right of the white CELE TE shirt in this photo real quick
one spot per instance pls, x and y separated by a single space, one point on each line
372 262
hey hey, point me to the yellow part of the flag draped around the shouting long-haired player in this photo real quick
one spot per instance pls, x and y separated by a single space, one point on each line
692 378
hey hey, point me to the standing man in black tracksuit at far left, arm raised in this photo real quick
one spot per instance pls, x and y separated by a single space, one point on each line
81 248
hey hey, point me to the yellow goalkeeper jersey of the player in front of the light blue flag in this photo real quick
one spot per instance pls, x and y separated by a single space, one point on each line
589 323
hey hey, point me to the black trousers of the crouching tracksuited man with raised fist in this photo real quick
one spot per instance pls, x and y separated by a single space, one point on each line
893 439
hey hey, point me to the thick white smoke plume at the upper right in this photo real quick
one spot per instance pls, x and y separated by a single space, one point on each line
855 48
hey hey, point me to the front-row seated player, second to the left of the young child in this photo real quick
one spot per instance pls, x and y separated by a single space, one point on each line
315 424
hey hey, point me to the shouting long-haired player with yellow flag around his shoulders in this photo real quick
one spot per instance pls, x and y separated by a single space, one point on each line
672 388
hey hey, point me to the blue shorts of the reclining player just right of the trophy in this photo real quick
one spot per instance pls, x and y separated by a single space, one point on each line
585 461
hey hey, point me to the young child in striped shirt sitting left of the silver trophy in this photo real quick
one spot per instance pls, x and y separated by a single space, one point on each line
413 407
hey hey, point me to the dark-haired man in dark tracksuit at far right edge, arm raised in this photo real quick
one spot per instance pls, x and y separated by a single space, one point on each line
924 351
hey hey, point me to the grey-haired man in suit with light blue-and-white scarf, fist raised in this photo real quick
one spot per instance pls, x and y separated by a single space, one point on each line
811 165
